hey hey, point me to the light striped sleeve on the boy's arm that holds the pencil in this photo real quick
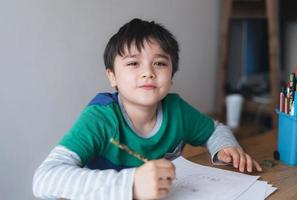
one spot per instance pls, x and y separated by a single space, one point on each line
61 176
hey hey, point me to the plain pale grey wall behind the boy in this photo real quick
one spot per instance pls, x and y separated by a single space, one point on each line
51 66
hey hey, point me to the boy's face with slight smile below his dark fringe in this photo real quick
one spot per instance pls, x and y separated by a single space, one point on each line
142 78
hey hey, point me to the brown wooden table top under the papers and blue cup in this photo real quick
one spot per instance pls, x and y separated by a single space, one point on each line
261 148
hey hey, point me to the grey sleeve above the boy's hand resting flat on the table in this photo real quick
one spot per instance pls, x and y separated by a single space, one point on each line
221 138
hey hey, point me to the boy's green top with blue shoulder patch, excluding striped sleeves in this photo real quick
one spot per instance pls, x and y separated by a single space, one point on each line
102 119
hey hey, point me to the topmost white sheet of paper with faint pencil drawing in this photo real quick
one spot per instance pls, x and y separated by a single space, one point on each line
196 181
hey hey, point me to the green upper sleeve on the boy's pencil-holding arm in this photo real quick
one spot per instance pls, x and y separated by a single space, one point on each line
88 136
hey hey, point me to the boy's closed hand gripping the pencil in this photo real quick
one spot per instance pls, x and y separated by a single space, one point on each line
153 179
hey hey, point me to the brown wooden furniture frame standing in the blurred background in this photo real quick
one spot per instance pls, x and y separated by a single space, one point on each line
251 9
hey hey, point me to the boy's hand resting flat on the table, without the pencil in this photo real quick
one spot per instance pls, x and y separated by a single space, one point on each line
239 159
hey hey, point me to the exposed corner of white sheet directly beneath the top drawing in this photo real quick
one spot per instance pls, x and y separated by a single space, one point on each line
256 192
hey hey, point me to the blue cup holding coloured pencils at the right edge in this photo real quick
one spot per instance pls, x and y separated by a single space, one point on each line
287 138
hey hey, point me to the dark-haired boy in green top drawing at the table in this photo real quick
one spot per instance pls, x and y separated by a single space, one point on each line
141 60
